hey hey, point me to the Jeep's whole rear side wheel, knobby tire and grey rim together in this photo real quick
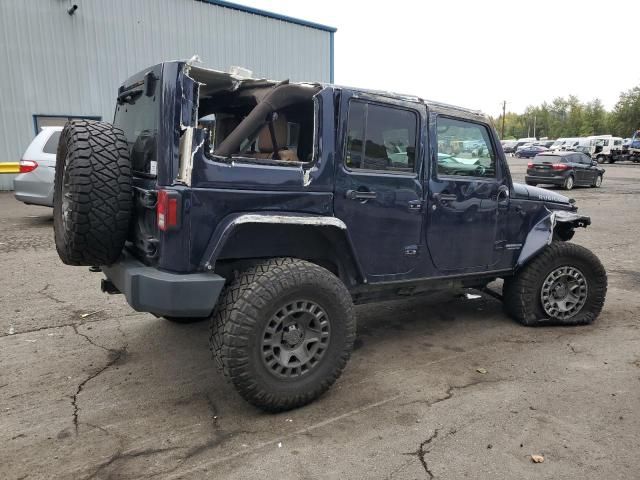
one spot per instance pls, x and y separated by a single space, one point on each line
283 332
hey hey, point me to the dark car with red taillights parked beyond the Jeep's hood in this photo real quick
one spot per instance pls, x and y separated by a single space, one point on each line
567 169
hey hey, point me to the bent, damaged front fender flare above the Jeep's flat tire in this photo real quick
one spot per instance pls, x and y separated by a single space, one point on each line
541 234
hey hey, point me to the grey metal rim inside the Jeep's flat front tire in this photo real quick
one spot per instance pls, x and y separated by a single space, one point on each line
564 292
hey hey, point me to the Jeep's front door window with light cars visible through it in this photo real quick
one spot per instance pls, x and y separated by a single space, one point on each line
464 149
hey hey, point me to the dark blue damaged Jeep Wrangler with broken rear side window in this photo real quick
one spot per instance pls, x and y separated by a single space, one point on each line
271 208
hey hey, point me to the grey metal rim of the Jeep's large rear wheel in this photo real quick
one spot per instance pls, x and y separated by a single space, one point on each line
295 339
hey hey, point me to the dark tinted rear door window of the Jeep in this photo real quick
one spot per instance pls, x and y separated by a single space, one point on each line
381 138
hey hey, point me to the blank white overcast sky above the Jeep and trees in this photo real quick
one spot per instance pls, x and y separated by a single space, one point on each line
477 54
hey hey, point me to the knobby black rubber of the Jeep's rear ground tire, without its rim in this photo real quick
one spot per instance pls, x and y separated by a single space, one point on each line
246 307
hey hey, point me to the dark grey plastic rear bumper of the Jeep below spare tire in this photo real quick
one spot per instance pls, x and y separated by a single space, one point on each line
148 289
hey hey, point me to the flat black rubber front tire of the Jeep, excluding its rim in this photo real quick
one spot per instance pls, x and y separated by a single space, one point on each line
521 293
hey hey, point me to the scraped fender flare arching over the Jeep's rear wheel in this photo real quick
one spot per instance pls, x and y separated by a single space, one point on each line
231 223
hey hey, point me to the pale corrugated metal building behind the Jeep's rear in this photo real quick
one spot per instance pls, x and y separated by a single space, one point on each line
66 58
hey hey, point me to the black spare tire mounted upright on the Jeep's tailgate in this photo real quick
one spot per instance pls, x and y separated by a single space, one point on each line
92 198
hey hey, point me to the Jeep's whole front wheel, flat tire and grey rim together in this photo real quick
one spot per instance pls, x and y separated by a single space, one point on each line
565 284
